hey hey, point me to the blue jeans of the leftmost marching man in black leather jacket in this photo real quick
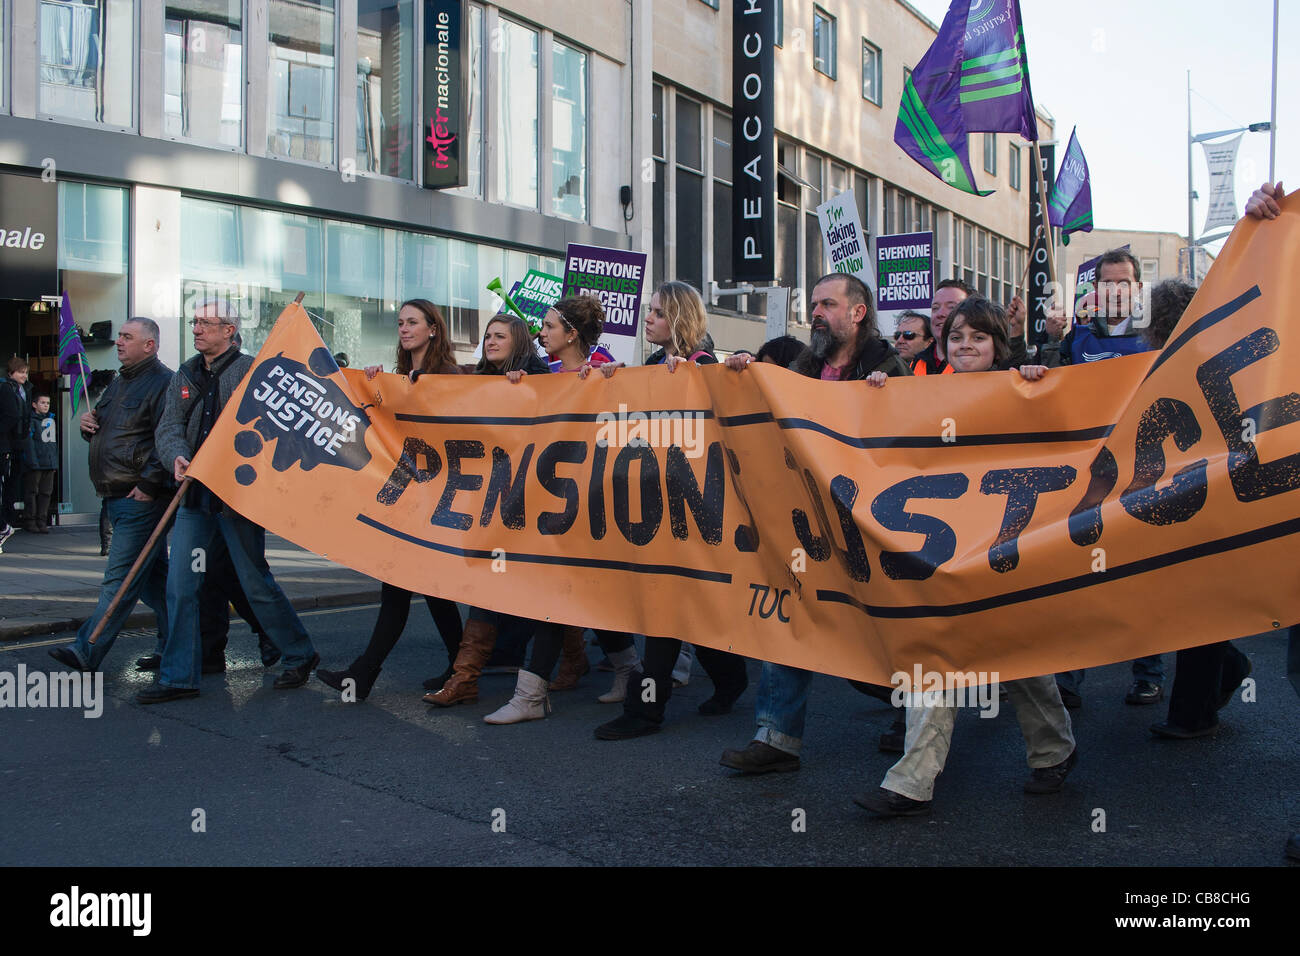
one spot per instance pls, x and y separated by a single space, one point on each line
133 524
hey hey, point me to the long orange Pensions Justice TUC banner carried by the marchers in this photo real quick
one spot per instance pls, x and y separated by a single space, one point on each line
965 524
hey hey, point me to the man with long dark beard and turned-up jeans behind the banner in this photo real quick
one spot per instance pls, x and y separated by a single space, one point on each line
846 345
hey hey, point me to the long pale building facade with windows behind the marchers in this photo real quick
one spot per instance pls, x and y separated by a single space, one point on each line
258 149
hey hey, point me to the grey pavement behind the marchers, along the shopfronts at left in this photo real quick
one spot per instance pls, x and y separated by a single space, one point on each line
50 583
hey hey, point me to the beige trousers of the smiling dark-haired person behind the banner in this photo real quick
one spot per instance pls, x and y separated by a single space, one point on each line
1045 724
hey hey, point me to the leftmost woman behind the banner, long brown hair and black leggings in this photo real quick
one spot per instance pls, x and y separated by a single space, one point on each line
424 348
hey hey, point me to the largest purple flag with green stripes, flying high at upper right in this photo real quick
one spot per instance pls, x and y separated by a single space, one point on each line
974 79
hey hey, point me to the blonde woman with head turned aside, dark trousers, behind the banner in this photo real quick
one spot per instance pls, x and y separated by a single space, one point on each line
678 325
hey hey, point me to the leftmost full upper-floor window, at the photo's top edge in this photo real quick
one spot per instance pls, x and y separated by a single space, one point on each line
88 60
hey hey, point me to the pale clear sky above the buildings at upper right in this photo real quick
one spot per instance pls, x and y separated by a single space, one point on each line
1117 70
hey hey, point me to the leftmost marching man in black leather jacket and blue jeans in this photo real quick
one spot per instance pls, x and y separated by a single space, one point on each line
128 474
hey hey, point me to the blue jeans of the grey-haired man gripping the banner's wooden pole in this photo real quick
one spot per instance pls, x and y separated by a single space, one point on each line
196 530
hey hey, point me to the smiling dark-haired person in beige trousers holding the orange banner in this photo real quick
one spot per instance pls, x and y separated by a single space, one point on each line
976 341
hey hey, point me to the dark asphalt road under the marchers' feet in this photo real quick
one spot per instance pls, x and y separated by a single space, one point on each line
298 777
